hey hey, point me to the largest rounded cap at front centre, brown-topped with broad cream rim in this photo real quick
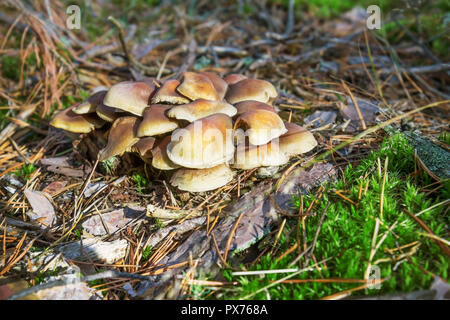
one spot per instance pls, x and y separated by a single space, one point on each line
204 143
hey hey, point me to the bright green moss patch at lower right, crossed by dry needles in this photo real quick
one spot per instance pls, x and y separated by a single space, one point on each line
346 234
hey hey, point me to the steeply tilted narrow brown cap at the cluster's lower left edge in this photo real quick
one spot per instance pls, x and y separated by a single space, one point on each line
121 137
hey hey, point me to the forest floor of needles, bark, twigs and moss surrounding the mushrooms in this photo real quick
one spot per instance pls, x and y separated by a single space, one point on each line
365 214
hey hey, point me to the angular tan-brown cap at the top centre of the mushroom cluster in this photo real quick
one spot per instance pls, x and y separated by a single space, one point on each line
197 86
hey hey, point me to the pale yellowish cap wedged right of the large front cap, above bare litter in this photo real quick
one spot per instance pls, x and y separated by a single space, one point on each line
249 157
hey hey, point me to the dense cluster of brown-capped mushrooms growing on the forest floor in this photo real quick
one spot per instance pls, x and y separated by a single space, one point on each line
201 126
